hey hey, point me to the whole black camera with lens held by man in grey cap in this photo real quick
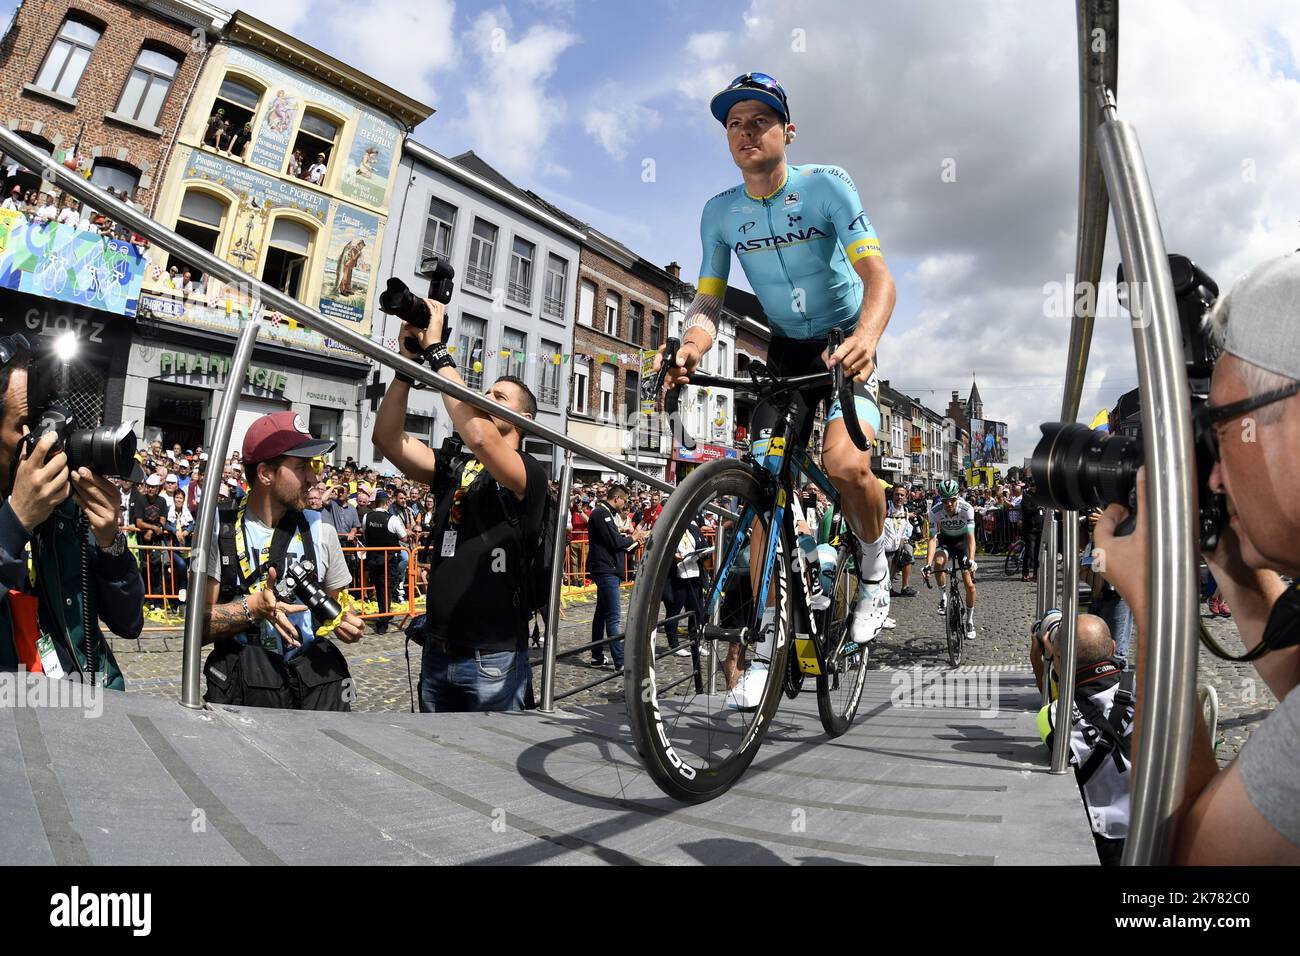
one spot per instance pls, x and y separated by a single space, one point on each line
1077 469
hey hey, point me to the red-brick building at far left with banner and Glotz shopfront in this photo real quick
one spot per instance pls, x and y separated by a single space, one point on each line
99 86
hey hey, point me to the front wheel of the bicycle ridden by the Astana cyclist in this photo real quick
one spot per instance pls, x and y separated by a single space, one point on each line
694 743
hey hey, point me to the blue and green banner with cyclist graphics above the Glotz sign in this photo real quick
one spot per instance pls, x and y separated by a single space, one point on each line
58 262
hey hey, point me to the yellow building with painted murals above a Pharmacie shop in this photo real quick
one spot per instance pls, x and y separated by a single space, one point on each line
284 166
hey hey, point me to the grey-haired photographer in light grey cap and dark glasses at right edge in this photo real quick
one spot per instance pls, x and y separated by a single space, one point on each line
1249 814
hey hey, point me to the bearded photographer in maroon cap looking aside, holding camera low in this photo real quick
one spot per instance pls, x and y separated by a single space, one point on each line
267 647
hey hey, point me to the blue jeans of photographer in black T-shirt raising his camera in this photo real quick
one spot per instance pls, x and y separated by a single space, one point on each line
489 681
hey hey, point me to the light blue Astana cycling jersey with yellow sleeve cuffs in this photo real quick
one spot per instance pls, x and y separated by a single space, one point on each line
798 248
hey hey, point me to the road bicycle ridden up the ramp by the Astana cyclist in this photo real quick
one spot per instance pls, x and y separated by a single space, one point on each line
695 739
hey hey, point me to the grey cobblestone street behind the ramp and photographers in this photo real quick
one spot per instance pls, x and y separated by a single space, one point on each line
1004 615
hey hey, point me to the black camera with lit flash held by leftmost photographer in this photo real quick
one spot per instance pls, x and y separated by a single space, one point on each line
106 451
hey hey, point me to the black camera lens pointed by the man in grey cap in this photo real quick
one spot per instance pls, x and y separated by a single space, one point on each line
1077 469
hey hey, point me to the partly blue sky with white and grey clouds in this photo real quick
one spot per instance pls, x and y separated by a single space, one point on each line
603 107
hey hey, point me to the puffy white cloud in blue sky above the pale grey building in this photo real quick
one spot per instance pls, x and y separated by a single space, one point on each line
510 115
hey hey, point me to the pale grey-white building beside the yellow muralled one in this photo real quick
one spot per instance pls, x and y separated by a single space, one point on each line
514 295
